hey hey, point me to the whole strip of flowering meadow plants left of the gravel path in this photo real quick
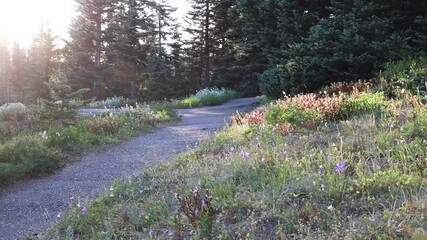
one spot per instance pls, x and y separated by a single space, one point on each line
32 145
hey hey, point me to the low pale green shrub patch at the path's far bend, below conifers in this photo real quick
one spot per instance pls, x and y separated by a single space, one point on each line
207 97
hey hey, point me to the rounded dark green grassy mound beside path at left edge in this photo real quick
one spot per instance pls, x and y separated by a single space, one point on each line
24 157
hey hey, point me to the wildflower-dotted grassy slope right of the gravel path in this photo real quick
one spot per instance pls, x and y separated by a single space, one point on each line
346 166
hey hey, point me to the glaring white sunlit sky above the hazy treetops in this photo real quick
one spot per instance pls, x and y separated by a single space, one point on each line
21 19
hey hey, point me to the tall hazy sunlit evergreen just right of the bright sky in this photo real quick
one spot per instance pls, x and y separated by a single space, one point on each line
88 34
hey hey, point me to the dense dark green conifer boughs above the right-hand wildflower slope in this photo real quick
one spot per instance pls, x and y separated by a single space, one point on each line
343 42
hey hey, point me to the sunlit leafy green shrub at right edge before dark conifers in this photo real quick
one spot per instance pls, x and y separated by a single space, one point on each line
405 76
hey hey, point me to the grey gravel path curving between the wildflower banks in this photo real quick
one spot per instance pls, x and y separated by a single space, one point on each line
30 208
